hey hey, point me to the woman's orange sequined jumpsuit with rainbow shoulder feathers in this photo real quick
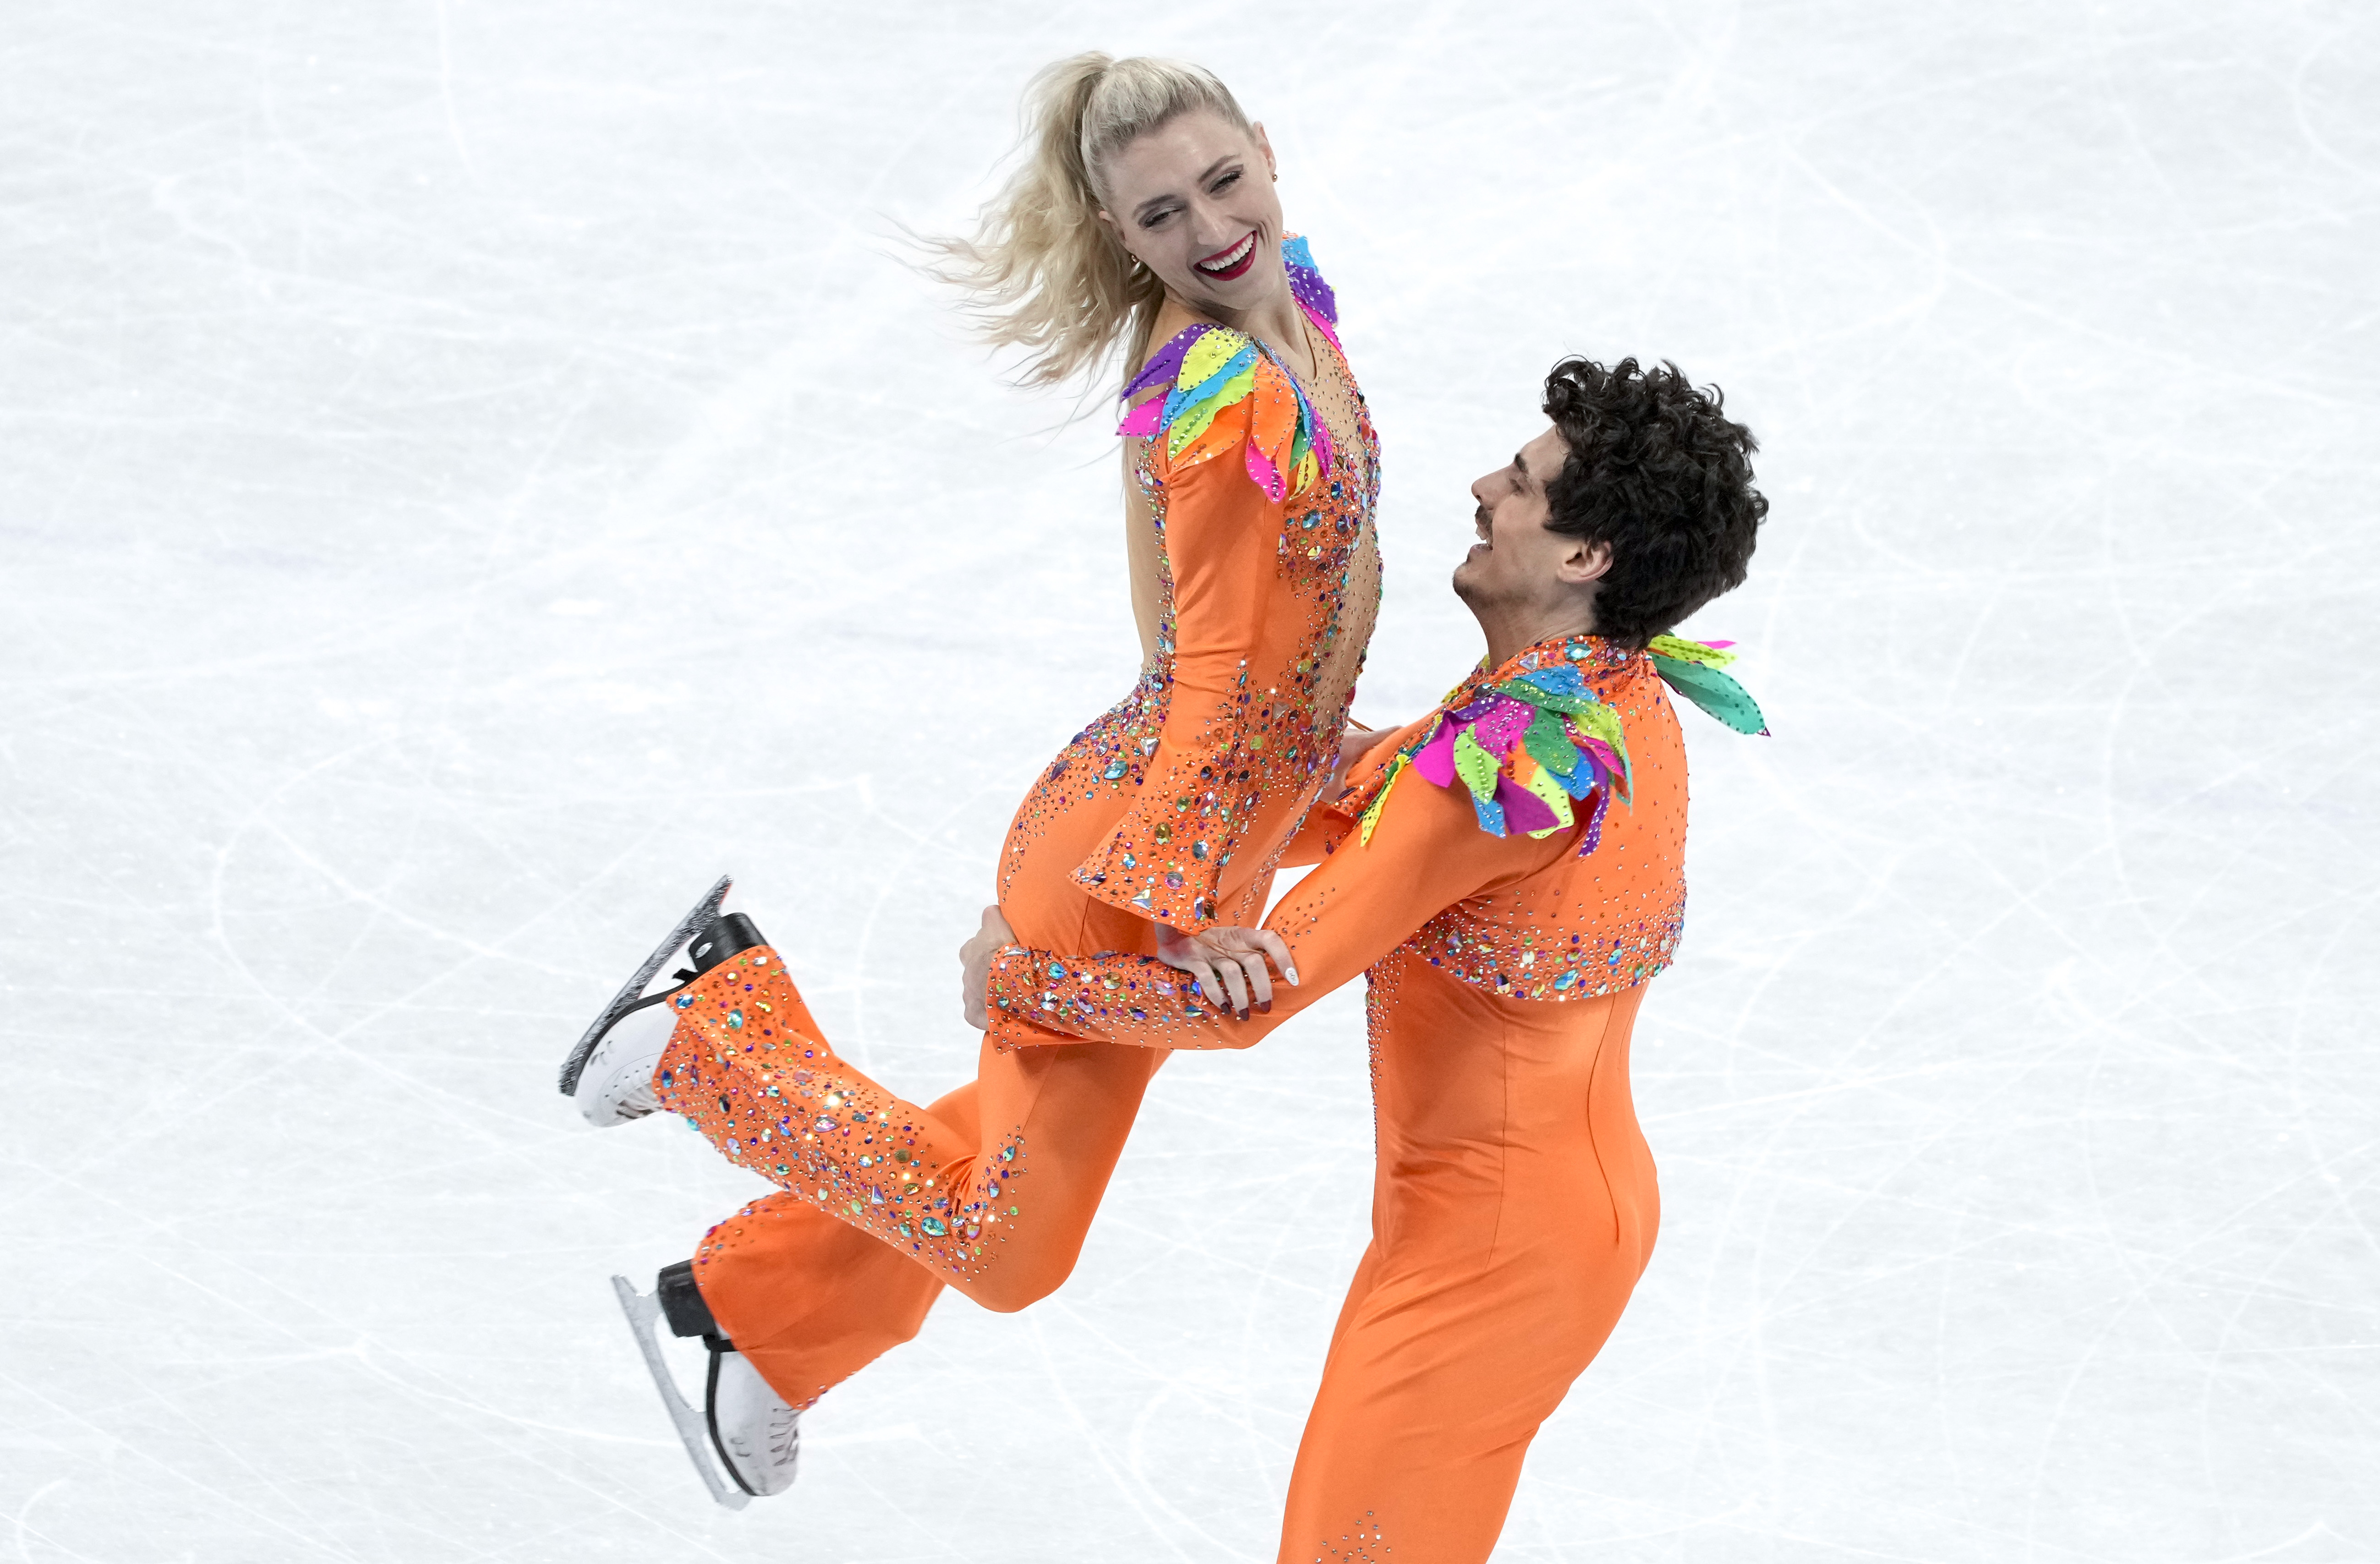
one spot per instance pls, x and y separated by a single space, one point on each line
1172 806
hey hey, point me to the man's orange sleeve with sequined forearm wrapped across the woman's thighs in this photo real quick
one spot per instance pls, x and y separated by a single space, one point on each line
1363 901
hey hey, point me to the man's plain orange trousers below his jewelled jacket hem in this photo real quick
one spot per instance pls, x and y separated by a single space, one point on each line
1512 1215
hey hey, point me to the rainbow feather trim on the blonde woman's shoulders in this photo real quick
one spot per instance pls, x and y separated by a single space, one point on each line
1213 370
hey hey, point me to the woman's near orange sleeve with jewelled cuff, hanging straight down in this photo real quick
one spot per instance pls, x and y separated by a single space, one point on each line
1194 796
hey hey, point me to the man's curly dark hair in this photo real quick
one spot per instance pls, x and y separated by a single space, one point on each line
1665 477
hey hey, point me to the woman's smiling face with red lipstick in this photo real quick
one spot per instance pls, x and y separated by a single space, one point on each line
1194 201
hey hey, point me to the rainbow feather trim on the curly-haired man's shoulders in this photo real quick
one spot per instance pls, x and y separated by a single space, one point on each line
1534 737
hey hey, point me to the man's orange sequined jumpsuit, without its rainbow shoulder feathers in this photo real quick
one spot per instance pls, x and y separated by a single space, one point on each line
1515 1199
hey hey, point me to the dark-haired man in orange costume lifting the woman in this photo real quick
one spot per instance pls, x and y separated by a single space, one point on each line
1508 920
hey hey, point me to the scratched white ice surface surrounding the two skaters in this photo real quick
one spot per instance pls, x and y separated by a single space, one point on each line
475 473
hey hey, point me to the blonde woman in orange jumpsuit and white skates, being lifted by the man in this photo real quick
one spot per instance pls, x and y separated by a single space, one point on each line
1144 218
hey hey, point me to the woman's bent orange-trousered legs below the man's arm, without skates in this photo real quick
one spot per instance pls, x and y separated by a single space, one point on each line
884 1201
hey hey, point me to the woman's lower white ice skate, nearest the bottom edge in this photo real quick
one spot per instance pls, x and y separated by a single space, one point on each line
753 1432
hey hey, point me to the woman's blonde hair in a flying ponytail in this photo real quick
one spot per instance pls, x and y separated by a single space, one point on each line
1044 273
